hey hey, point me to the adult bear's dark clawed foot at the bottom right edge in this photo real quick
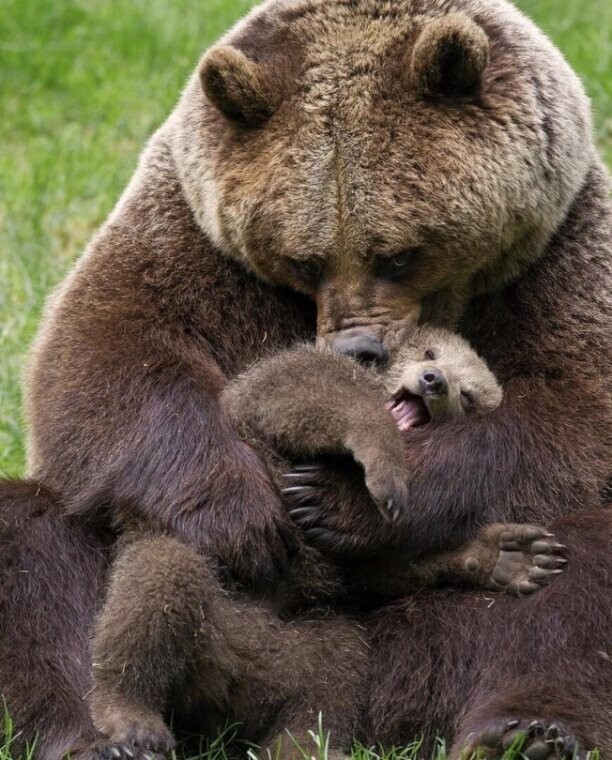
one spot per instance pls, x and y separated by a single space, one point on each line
535 740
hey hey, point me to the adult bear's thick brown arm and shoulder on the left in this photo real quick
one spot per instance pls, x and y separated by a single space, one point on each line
124 382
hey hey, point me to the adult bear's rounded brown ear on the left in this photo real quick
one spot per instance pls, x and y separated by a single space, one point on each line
237 86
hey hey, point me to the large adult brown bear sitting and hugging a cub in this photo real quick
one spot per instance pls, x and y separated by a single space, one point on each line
393 162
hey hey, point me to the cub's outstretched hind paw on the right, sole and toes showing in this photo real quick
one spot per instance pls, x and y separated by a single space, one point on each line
529 558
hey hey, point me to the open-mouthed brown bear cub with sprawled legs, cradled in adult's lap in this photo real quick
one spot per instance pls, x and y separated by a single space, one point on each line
171 636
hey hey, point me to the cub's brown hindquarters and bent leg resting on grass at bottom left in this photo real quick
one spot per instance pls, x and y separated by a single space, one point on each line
168 628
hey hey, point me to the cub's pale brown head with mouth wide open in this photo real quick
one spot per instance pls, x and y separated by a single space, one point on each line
436 375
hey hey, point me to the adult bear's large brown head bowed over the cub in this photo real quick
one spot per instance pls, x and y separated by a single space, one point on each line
390 158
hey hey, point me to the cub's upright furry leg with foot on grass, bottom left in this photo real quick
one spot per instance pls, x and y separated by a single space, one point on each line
159 608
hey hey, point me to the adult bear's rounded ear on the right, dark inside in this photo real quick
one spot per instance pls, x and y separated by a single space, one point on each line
449 57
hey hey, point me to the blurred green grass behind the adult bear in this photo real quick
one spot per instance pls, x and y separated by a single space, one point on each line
82 84
